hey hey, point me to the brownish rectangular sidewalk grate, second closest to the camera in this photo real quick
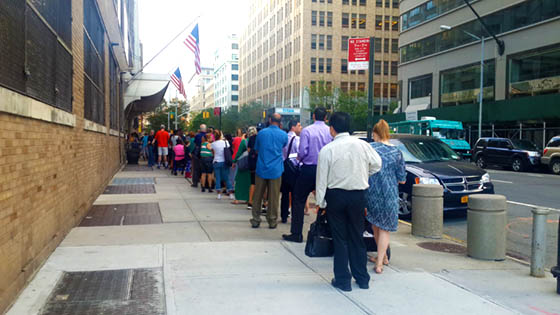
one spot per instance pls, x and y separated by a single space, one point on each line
123 214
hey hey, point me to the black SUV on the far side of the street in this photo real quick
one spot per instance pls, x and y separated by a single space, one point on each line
517 154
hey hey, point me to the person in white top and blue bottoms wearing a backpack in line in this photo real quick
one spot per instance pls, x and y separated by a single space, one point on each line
220 148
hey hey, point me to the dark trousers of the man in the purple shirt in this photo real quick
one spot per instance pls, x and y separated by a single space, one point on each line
305 184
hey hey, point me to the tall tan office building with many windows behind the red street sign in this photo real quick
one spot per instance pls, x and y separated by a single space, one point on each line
289 46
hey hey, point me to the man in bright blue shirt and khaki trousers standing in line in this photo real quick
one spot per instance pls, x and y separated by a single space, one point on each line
270 166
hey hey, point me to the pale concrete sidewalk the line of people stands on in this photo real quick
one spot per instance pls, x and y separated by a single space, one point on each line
180 251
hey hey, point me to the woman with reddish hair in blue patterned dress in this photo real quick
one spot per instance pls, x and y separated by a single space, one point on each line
383 192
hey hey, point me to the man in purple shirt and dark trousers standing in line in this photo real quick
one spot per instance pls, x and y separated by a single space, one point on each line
313 138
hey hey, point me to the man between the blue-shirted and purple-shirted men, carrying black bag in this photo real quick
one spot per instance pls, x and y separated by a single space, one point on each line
291 168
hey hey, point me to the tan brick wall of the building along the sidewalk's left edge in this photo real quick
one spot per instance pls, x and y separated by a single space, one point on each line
52 168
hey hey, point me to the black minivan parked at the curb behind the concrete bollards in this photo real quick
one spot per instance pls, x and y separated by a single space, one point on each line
430 161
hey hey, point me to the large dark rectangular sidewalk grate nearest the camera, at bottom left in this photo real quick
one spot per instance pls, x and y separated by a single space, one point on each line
127 291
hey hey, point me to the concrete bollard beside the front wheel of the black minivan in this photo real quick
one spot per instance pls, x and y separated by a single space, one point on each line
427 210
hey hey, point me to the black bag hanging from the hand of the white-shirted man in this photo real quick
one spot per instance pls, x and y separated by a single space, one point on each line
319 238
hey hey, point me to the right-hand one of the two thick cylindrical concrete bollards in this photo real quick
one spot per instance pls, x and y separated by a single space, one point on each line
486 227
